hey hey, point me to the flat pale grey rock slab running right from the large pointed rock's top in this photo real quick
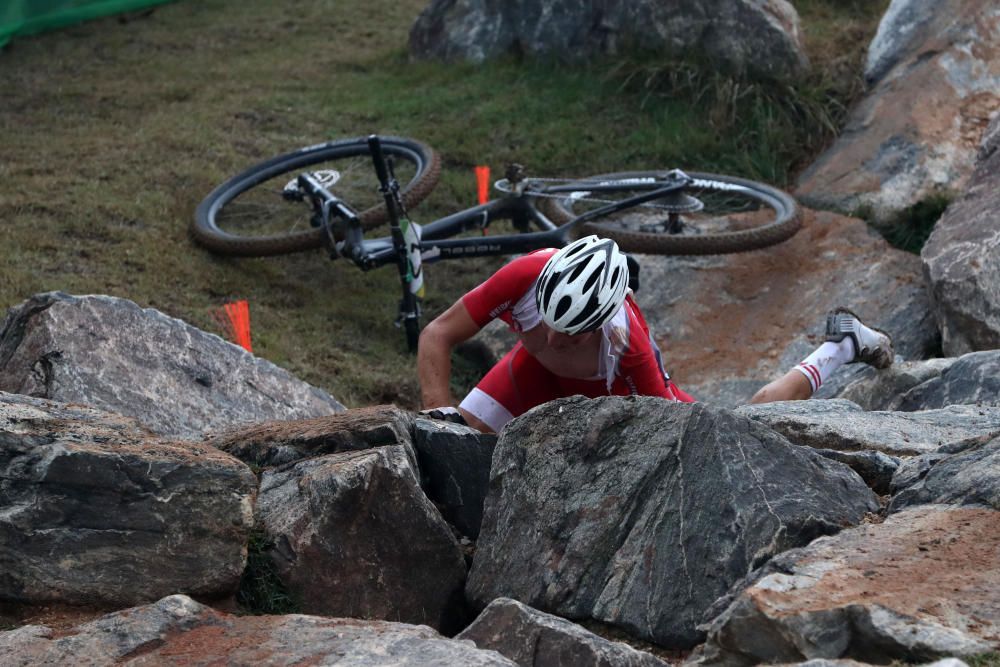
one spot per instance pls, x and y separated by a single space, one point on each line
842 425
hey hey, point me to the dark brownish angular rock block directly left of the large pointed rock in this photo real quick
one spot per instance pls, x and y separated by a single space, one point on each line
355 536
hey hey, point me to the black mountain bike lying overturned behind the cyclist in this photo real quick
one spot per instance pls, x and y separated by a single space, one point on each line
328 195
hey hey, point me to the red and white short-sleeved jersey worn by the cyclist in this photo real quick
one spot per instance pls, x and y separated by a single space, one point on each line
629 363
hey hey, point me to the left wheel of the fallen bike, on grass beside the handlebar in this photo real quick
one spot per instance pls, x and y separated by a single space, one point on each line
255 213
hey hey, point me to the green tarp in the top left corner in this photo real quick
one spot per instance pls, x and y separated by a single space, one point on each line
26 17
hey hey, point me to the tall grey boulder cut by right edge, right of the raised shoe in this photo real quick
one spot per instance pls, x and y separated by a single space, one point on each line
962 258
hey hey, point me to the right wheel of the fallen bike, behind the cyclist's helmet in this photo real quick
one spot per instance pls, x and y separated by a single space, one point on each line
713 214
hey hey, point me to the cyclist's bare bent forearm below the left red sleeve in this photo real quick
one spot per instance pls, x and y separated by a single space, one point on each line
437 340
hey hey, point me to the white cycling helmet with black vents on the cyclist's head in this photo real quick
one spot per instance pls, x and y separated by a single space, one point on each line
582 286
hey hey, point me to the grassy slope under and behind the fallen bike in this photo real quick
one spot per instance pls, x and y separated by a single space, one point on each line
114 130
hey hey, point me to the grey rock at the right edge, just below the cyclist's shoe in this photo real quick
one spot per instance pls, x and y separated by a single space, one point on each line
972 379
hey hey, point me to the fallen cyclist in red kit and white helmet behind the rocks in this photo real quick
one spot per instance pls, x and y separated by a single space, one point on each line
581 332
